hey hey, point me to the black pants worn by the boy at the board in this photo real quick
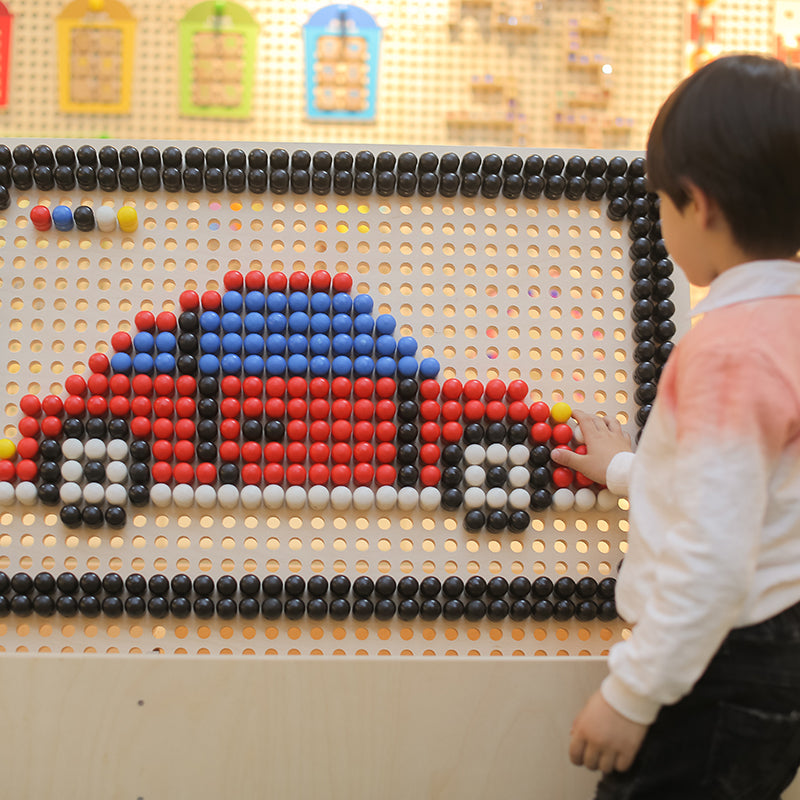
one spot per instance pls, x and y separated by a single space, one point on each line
736 735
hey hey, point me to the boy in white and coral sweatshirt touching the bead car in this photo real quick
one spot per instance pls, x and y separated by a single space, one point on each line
703 699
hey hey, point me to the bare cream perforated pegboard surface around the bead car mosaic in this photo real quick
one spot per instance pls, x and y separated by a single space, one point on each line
535 290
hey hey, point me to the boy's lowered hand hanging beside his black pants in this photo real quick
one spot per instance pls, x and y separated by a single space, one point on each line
603 739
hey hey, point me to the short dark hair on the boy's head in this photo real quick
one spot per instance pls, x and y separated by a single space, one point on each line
733 129
